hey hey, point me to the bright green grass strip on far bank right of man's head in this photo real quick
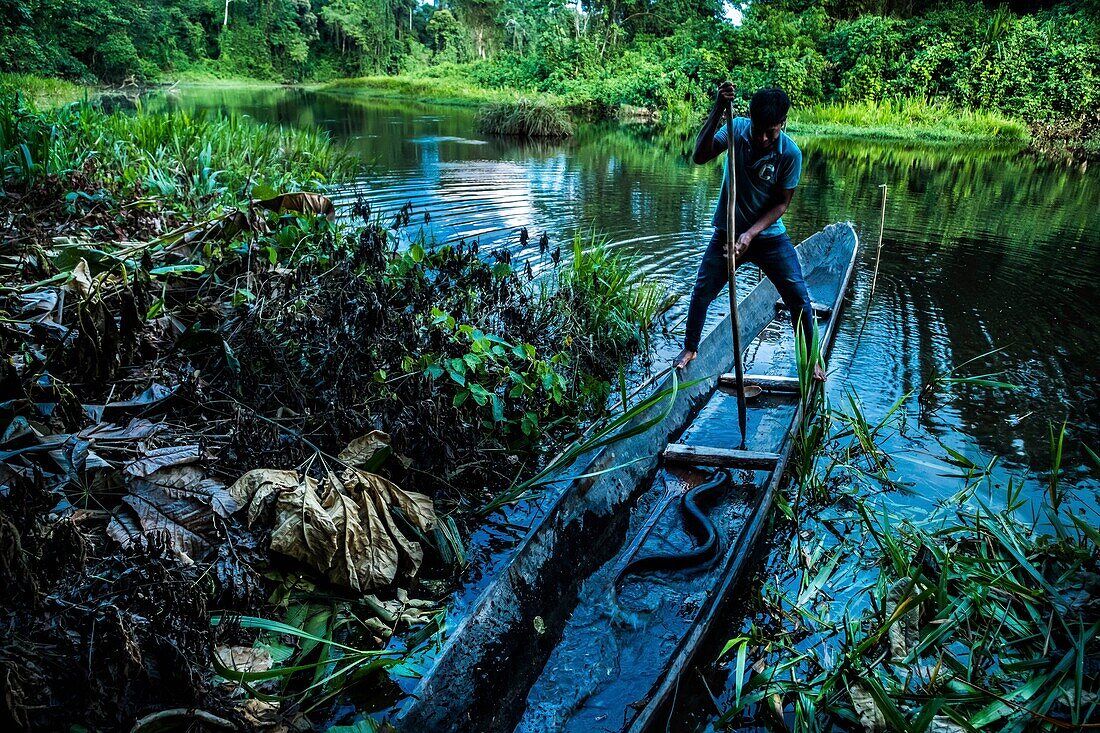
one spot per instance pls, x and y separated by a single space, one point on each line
907 119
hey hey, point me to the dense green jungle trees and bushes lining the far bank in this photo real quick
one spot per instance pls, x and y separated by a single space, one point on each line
1039 62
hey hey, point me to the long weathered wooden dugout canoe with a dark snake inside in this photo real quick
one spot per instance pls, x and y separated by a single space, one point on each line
549 647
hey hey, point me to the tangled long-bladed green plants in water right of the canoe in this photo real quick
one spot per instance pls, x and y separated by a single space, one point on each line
977 616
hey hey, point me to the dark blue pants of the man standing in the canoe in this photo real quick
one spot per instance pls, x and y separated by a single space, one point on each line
776 257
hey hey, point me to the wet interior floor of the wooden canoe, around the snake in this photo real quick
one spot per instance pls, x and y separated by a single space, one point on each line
615 649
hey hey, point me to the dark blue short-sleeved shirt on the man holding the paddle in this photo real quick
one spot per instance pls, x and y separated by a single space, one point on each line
760 180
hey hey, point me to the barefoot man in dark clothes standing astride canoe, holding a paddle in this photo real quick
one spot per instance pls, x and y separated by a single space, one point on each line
768 166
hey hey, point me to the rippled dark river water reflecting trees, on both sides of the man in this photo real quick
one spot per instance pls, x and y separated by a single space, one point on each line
991 259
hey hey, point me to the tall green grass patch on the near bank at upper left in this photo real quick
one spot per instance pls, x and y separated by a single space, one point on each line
194 162
